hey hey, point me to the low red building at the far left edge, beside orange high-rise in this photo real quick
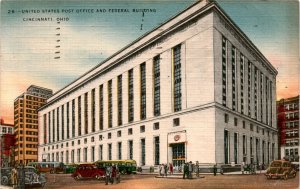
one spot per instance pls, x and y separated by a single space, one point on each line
7 142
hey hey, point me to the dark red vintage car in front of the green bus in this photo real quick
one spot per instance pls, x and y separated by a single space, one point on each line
84 171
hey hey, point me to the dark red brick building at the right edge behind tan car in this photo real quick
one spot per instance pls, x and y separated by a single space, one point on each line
288 125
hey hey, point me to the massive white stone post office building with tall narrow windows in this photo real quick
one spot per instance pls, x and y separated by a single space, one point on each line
193 89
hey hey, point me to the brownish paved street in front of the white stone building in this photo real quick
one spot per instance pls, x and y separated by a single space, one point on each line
150 182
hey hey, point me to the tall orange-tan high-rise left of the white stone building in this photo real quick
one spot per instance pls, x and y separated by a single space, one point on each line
26 122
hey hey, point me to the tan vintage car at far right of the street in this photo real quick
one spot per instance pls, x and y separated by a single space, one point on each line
281 169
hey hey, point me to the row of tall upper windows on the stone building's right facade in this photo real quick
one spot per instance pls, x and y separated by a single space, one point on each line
257 83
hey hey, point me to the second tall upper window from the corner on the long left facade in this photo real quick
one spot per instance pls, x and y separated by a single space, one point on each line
156 85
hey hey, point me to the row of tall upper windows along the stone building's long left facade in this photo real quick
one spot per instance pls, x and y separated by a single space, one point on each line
56 121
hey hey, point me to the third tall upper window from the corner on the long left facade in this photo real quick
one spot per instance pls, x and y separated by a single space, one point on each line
143 90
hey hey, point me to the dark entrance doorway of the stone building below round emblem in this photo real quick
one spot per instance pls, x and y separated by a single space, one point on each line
178 154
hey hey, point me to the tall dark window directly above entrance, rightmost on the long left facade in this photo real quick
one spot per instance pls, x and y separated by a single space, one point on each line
177 77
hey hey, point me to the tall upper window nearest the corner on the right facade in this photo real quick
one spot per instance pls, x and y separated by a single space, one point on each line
224 71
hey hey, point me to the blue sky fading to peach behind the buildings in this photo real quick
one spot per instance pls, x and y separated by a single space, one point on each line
28 47
